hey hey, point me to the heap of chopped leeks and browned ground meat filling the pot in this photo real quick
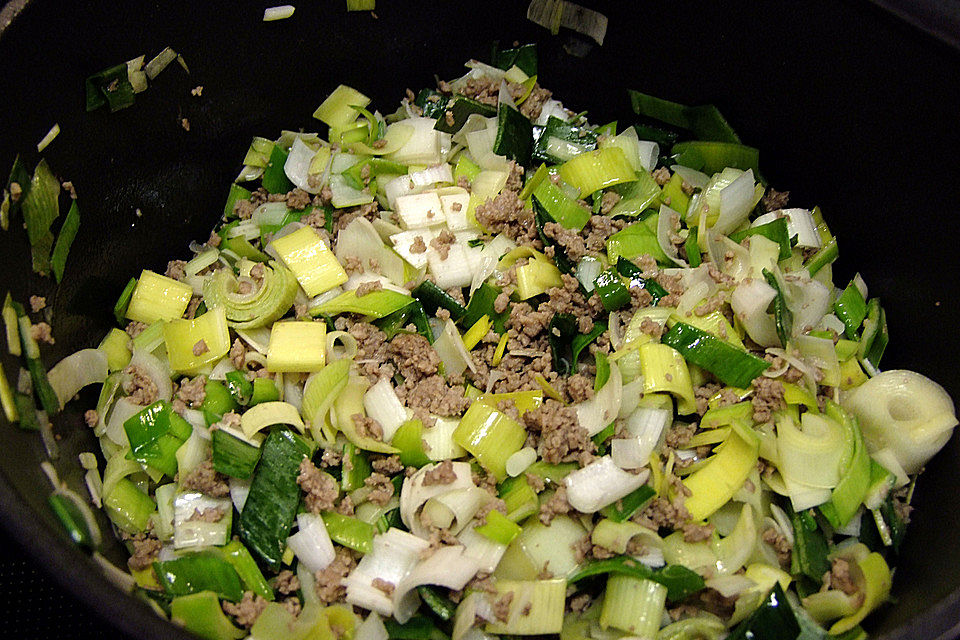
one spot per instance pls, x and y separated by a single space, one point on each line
481 367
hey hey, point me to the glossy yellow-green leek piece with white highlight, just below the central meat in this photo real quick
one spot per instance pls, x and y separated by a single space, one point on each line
490 436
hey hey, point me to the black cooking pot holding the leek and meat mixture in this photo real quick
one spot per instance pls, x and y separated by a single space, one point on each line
852 109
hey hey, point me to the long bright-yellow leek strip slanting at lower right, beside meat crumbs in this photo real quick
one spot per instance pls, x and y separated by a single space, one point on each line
714 484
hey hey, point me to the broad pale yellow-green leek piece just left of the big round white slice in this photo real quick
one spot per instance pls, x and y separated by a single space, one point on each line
816 455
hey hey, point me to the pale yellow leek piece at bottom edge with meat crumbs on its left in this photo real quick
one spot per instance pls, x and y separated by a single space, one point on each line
536 607
